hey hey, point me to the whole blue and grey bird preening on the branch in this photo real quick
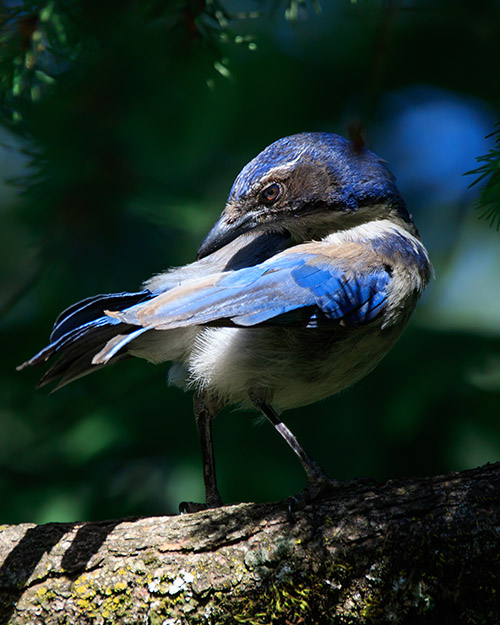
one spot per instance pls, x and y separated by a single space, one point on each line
300 288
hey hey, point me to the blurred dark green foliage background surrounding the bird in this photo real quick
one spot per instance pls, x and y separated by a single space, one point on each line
123 127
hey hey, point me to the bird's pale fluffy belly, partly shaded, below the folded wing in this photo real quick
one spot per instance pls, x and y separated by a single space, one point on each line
282 366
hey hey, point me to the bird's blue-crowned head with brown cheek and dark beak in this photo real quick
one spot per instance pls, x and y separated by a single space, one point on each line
307 186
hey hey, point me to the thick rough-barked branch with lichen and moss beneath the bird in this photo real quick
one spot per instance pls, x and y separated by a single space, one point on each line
408 551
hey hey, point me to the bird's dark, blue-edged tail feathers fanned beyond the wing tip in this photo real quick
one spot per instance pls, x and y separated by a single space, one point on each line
81 332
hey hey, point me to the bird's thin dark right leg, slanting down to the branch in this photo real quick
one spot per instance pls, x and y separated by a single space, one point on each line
318 480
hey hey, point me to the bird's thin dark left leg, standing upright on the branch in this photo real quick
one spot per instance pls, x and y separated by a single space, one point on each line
204 414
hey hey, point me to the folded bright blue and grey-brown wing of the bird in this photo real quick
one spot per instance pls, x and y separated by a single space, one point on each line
289 288
